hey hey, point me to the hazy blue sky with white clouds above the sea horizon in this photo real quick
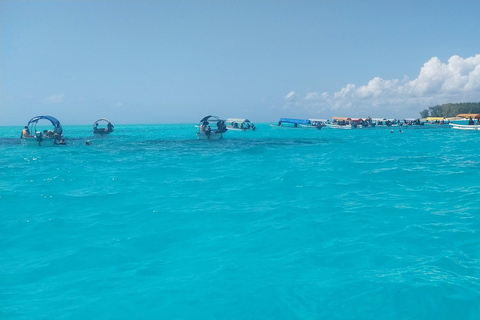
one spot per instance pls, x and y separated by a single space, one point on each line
151 61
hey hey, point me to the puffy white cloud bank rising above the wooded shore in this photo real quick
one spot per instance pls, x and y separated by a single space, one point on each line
458 80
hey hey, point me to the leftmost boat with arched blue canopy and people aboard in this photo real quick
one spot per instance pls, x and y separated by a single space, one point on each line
45 138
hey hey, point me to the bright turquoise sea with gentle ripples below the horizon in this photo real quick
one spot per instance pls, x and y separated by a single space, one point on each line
274 224
